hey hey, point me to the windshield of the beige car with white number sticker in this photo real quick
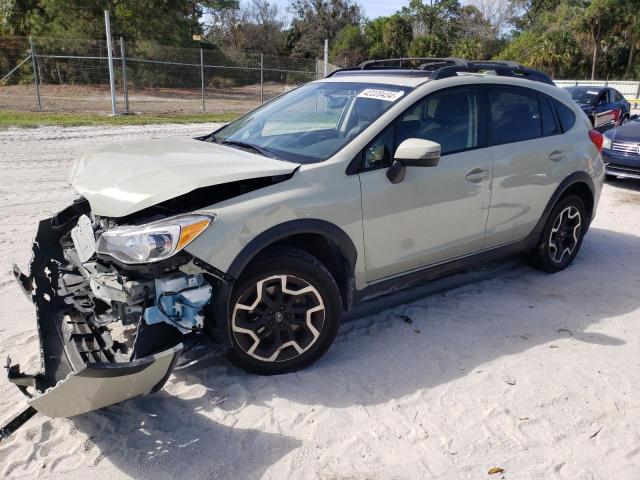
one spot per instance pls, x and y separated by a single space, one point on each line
311 123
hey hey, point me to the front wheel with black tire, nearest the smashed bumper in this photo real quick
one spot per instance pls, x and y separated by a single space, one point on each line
284 313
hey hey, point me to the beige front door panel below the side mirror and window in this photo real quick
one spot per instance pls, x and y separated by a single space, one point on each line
434 214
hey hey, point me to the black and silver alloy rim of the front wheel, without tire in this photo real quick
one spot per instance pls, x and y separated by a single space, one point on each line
278 318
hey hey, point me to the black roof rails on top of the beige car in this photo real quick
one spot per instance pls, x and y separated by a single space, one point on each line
438 68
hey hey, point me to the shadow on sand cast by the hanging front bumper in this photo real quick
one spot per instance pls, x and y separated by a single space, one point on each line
164 437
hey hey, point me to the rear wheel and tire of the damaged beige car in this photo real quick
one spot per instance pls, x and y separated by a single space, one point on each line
561 237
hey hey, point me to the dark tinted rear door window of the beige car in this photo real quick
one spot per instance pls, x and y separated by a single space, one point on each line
515 115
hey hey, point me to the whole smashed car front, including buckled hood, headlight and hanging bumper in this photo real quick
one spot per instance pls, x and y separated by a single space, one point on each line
118 298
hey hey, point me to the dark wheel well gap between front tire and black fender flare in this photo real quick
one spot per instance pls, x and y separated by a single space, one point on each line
329 254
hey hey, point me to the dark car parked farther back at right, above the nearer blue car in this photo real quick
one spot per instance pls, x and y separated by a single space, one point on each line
605 107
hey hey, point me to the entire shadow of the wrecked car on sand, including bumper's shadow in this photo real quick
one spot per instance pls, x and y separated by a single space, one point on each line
387 349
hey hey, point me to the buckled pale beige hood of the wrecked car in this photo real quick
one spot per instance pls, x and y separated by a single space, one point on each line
123 178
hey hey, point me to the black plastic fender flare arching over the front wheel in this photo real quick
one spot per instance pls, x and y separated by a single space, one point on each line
328 230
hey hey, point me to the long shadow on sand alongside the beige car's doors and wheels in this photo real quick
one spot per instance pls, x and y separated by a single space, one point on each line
431 335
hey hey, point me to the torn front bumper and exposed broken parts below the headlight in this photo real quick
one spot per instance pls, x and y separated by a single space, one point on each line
107 332
